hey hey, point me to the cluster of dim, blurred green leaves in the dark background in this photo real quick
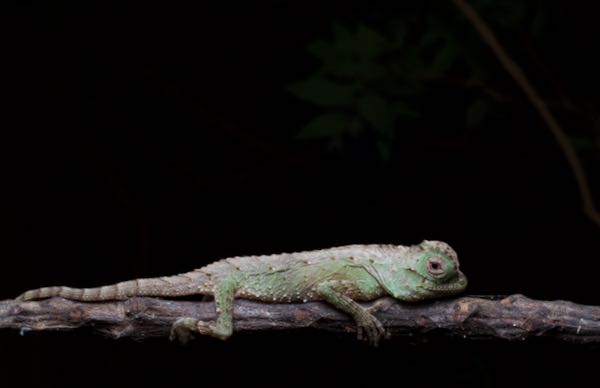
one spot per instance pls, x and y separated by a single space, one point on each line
375 79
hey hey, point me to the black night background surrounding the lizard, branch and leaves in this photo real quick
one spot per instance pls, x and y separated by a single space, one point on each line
142 140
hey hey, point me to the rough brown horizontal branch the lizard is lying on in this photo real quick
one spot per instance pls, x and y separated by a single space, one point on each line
512 318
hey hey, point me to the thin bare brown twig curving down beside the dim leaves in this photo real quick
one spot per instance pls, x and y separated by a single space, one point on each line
559 134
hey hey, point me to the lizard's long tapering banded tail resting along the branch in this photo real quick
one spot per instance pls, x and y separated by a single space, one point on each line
190 283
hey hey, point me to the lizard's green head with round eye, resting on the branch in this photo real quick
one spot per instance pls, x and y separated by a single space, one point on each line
433 271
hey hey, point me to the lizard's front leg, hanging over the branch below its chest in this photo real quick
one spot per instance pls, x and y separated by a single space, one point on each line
368 327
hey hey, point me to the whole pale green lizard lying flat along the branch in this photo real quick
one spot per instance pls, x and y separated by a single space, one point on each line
341 276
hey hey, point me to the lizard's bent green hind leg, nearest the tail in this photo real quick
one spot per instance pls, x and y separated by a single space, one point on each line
224 294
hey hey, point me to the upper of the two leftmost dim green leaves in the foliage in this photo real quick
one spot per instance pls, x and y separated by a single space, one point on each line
321 91
